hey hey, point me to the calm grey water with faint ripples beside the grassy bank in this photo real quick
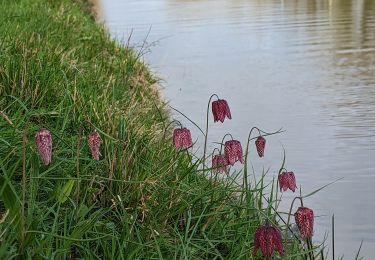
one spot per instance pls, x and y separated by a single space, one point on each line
305 65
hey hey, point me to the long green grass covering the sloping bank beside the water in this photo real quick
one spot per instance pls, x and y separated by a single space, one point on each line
143 199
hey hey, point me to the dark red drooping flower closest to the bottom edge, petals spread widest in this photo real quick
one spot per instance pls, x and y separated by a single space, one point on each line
268 238
